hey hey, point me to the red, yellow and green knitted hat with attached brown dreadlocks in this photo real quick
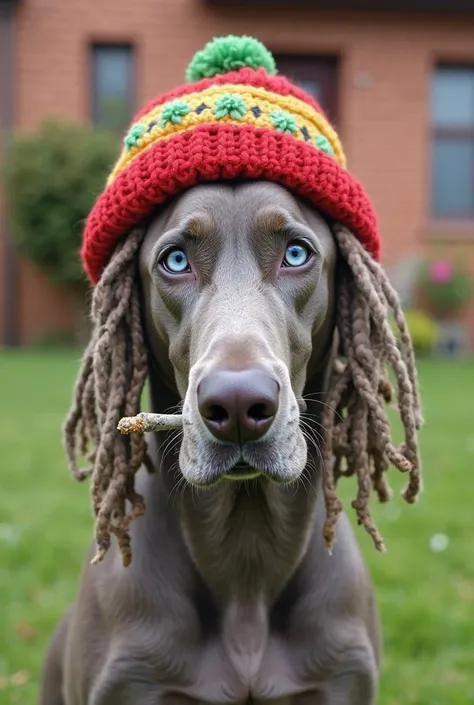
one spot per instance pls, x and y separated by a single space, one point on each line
235 118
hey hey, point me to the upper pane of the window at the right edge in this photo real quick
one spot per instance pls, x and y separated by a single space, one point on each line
452 97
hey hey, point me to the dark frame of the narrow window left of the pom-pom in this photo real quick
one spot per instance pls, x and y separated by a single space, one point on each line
92 86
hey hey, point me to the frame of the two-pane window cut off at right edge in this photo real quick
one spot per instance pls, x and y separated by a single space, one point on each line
448 131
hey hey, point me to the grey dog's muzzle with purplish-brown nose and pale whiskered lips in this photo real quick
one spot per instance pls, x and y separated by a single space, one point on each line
239 449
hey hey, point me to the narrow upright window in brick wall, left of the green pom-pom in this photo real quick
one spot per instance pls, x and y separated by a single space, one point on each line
112 85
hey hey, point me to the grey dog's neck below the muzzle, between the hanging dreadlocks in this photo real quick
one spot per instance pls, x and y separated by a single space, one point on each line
246 538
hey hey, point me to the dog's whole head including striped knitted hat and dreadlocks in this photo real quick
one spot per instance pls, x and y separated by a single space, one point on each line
238 297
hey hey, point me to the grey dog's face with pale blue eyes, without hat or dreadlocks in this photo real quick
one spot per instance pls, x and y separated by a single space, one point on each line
238 284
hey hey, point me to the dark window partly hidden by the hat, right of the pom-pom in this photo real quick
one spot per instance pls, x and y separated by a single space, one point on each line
317 75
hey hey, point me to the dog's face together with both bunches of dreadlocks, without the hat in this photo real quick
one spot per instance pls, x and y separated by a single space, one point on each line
238 301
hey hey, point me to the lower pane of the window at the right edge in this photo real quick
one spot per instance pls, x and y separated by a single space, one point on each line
453 176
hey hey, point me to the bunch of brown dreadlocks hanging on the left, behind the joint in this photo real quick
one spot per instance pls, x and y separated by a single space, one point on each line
109 386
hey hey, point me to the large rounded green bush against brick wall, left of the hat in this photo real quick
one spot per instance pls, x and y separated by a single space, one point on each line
51 180
